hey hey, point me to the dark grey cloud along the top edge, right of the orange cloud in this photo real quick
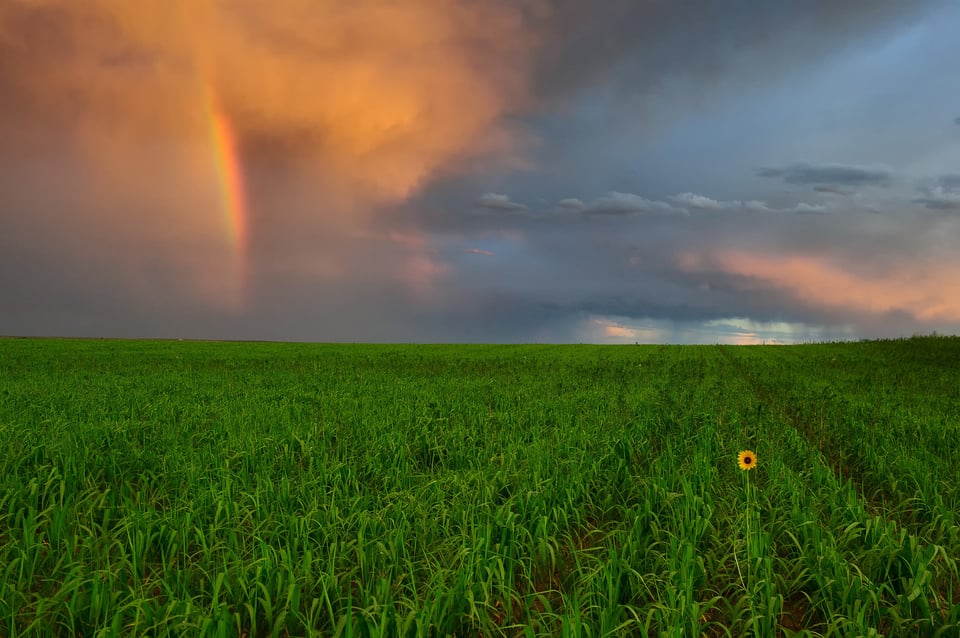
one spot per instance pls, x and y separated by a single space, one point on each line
640 45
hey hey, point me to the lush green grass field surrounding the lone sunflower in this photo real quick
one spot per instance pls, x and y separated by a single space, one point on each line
245 489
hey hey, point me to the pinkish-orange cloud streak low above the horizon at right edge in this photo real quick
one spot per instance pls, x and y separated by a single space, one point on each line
926 293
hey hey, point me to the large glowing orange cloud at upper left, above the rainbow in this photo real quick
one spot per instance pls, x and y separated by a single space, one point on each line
382 93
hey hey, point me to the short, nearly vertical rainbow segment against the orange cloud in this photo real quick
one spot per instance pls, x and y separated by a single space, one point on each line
226 162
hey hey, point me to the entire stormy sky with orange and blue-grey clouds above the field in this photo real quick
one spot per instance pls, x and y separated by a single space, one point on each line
522 171
